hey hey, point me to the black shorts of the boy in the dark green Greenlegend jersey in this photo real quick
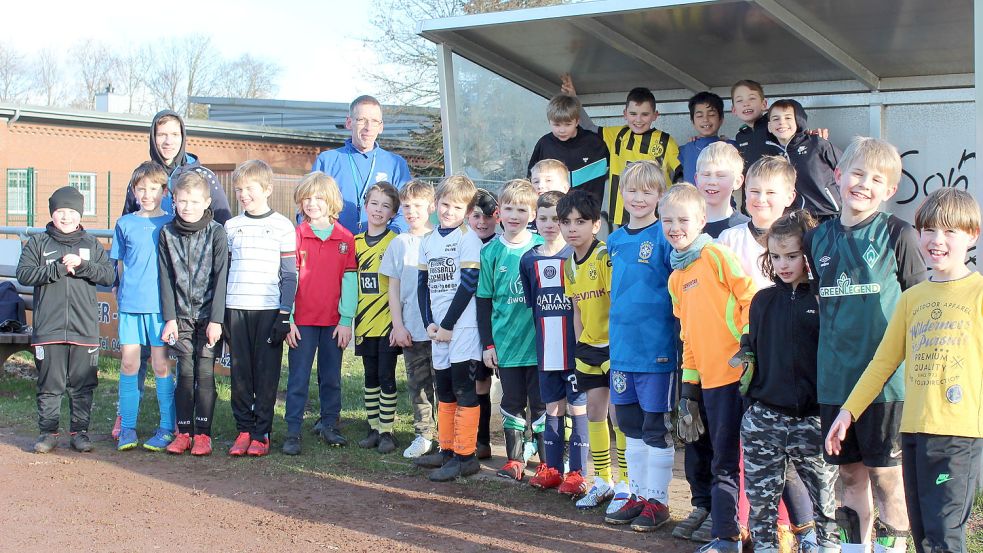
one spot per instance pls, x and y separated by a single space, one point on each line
874 439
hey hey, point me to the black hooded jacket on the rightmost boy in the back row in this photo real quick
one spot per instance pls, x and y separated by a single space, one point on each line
814 159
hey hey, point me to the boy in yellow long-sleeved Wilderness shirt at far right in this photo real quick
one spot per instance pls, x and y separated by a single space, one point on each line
941 427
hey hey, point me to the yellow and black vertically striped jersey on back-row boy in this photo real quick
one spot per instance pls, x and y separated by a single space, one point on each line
627 147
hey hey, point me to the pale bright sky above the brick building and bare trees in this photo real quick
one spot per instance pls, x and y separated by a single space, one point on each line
317 43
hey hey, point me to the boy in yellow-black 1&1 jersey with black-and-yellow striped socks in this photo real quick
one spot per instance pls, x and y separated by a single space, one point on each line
373 321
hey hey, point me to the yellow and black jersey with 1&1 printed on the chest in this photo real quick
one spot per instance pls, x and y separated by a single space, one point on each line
372 317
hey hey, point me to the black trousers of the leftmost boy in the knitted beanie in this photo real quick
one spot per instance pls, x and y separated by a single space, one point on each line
66 368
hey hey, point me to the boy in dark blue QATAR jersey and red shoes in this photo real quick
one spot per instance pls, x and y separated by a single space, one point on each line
541 271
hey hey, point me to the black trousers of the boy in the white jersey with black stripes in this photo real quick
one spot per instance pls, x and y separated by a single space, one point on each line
255 369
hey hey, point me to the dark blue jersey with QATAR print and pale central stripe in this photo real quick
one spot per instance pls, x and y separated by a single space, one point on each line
542 283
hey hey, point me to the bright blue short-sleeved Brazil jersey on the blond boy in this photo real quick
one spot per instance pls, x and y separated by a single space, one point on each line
643 330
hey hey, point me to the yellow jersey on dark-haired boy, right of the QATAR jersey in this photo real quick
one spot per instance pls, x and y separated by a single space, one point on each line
588 283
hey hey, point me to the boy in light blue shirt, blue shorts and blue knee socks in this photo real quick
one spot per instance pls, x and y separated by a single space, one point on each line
140 323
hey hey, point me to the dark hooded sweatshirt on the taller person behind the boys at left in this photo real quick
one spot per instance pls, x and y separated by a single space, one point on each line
182 162
